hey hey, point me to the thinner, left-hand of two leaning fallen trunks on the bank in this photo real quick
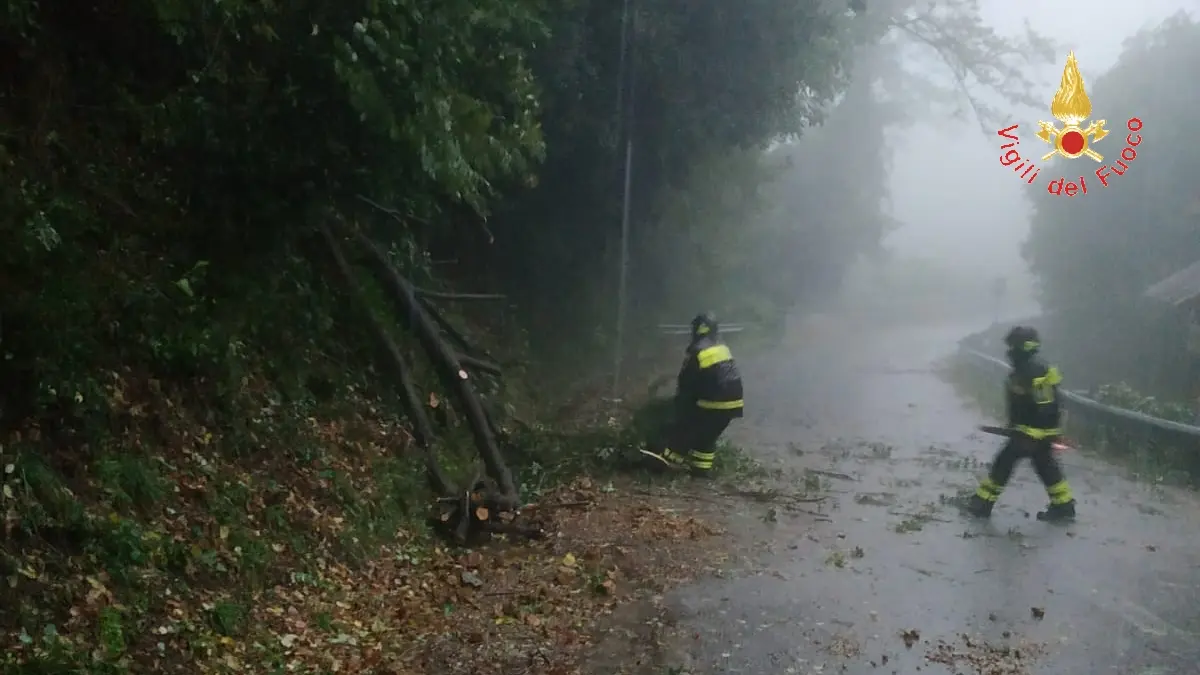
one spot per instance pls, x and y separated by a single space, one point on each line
394 362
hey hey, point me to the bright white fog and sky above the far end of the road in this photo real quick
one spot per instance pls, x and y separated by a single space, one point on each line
955 205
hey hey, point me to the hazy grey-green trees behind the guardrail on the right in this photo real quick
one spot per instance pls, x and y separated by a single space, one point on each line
1096 255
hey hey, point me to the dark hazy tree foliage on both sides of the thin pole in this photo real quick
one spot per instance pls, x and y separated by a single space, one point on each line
711 80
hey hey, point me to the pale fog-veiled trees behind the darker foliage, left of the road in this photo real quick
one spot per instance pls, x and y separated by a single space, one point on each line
754 232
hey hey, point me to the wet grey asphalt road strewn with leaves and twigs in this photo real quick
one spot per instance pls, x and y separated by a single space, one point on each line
833 594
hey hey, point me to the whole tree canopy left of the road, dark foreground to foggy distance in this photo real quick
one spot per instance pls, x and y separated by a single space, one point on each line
167 163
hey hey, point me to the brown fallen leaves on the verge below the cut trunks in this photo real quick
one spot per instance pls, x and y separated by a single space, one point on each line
506 610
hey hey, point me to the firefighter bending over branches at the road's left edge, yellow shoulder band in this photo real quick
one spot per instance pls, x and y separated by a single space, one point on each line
709 398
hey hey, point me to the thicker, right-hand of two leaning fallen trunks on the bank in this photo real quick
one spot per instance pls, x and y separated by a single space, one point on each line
404 296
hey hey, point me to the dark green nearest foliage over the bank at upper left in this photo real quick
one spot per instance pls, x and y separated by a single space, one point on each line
164 230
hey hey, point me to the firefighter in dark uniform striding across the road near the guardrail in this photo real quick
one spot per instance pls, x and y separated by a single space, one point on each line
1035 417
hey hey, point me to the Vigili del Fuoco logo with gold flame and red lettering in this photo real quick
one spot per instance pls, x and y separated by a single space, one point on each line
1072 107
